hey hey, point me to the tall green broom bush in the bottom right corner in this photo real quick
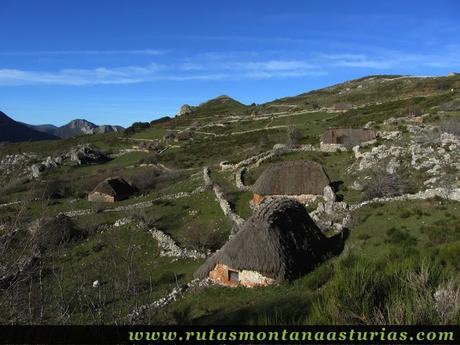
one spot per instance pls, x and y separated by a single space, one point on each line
387 291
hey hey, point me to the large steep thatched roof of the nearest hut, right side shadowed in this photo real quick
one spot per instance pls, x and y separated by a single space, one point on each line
279 240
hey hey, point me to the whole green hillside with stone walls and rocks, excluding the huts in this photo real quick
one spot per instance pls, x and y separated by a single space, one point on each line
66 260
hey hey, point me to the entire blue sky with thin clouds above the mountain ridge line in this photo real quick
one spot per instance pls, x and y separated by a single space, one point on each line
122 61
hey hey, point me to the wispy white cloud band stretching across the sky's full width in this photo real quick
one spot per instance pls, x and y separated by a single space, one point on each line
236 66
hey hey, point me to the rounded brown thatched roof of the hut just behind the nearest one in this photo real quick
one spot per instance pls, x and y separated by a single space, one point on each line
292 178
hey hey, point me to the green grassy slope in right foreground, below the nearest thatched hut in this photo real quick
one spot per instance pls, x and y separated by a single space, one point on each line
374 250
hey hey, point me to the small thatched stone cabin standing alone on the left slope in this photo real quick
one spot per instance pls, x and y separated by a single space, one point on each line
111 190
